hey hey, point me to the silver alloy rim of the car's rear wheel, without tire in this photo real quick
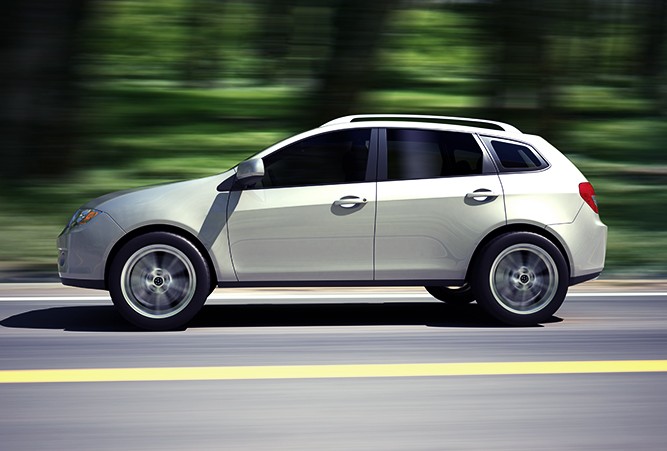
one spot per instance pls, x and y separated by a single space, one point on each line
524 278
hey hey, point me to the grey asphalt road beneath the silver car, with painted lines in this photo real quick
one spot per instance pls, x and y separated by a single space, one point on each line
346 332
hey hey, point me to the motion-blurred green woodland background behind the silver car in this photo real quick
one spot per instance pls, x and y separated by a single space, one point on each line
97 96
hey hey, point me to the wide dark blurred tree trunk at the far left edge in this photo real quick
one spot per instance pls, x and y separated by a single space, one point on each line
38 87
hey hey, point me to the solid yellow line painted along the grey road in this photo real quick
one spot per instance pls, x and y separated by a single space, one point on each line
329 371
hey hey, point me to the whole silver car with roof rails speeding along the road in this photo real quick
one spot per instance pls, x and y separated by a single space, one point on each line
474 210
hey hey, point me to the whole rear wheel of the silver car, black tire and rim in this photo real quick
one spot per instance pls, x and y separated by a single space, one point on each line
520 278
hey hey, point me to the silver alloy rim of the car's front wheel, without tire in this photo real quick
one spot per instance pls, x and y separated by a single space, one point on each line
158 281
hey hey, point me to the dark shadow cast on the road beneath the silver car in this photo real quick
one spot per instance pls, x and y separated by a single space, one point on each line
98 318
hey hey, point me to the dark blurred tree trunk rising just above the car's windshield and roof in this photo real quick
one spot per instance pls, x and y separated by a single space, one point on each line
357 31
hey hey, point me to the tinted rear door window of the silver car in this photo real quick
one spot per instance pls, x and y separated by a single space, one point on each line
418 154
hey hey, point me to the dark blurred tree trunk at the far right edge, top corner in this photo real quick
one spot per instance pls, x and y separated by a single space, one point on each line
652 52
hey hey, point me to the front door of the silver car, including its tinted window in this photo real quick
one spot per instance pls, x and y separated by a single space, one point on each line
312 216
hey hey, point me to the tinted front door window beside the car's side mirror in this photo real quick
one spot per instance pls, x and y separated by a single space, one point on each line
329 158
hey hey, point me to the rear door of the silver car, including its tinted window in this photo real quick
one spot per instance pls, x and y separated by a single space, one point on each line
438 195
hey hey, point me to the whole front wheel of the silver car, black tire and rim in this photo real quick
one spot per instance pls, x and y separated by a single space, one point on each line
159 281
